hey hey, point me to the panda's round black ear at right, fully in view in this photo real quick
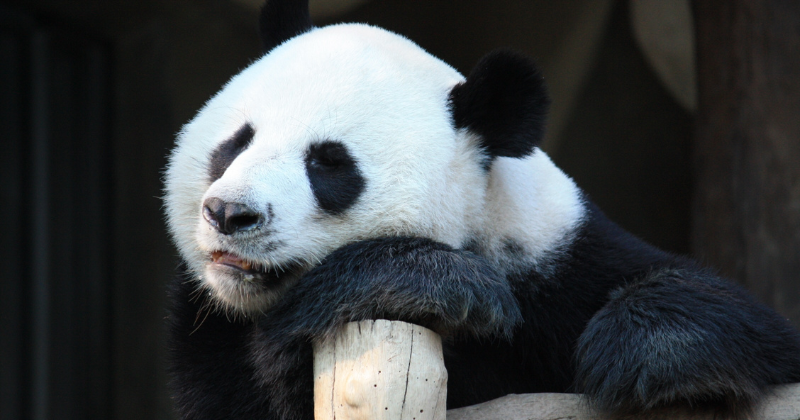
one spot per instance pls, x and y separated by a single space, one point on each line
504 100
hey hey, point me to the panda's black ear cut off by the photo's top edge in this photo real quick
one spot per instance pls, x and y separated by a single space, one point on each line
281 20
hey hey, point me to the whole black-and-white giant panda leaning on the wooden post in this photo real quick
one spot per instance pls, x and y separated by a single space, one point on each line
347 175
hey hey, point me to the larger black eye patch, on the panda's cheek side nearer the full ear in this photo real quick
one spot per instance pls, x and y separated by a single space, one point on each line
334 176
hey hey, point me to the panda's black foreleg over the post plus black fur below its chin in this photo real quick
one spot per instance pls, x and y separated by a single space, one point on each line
262 368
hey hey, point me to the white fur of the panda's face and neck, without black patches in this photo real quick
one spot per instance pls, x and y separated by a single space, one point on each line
386 99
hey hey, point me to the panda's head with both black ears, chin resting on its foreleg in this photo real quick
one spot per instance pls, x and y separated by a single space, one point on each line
338 134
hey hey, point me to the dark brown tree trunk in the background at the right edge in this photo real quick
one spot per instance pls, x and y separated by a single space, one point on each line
746 205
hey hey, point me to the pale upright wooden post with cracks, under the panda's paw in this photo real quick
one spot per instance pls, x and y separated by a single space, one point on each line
380 370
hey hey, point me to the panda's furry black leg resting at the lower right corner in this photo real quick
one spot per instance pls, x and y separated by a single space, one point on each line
682 337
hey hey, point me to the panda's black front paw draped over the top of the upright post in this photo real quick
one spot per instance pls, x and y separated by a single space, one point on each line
408 279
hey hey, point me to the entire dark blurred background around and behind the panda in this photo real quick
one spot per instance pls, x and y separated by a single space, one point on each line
681 120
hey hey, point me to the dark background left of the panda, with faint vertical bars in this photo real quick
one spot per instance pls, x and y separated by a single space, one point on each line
92 96
